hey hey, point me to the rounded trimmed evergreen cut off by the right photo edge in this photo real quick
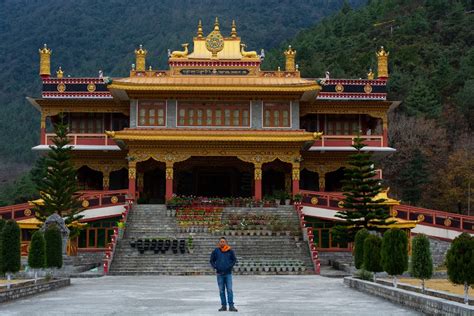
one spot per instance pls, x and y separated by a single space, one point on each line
460 262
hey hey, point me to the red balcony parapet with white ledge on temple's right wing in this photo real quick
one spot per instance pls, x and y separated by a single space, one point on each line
345 142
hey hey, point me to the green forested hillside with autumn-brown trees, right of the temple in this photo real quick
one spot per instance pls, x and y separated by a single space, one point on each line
431 67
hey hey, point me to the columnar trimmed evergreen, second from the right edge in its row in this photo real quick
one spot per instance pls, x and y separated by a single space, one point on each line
421 260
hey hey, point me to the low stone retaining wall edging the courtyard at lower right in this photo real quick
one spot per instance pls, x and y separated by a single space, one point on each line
419 302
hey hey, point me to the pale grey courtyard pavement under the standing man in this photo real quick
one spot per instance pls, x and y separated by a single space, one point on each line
198 295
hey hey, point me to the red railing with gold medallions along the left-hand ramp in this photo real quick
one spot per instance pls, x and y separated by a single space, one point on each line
90 199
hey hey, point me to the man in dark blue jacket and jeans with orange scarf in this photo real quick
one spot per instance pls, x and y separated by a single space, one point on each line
223 260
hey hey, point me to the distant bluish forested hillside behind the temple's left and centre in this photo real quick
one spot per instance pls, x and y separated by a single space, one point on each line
88 35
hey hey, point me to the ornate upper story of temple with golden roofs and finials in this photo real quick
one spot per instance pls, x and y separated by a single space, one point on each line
215 87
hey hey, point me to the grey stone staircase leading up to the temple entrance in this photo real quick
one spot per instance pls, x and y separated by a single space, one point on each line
151 221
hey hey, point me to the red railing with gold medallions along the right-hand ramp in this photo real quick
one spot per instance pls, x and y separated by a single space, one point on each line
440 219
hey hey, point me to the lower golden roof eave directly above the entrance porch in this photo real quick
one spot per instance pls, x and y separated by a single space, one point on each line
225 135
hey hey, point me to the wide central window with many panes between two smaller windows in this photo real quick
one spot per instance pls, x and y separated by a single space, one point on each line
213 114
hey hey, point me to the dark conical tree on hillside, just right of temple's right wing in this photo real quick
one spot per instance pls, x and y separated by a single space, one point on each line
414 177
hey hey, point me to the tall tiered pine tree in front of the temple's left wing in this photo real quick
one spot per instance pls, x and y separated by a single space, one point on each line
55 179
